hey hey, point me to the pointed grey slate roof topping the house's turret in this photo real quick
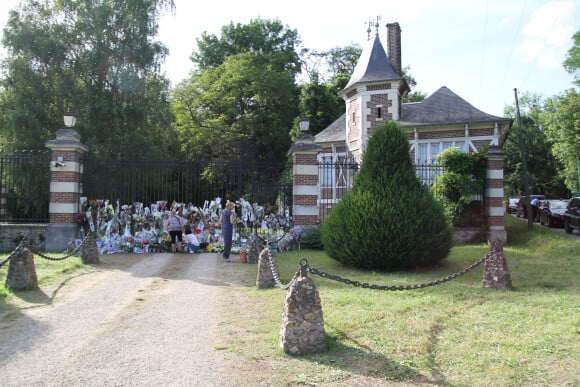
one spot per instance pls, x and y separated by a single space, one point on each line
373 65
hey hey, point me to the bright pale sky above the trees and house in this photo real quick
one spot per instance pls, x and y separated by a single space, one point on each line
480 49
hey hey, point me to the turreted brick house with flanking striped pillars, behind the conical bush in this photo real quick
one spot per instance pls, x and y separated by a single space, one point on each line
373 95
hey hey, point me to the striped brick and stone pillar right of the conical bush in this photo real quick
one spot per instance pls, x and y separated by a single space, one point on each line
494 194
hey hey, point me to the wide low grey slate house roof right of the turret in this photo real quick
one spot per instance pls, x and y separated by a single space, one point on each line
444 107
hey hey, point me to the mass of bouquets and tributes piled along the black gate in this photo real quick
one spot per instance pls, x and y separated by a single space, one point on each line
124 228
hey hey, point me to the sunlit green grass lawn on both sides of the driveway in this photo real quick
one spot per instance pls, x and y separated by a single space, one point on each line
453 334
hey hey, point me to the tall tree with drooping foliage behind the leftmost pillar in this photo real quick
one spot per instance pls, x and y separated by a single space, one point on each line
99 59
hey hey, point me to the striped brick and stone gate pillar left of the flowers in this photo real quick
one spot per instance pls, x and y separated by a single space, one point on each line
65 188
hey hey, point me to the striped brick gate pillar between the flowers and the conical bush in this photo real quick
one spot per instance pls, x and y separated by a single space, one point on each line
305 181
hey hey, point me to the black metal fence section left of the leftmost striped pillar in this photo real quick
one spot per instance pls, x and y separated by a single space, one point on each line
24 186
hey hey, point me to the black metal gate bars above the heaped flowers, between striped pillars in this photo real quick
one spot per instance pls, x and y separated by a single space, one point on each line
185 181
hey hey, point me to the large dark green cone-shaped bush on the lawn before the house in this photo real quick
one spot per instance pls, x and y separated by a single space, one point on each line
388 220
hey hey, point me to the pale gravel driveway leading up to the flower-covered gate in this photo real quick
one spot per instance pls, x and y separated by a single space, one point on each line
148 323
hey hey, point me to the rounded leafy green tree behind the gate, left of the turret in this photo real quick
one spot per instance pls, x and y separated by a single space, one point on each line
243 88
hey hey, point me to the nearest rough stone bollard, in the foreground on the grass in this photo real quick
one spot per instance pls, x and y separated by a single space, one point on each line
302 330
